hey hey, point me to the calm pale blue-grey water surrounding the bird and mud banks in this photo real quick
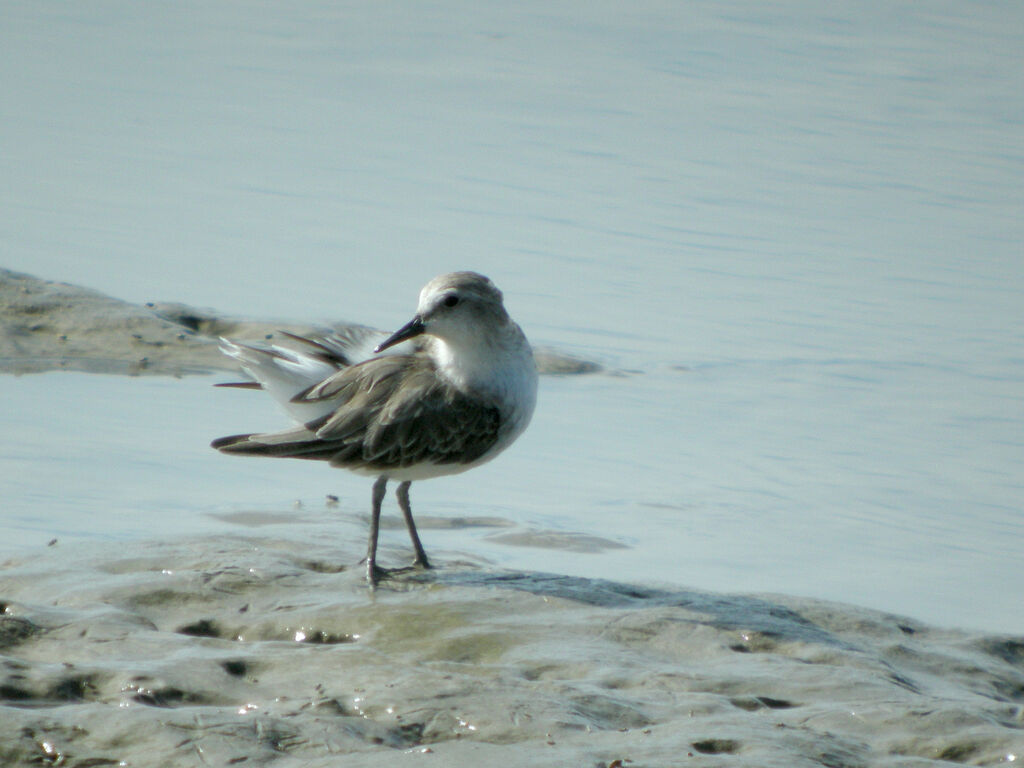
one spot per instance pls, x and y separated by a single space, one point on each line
794 232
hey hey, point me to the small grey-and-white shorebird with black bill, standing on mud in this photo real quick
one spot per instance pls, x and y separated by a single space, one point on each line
446 393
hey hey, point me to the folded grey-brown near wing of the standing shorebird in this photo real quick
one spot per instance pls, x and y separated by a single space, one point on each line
393 412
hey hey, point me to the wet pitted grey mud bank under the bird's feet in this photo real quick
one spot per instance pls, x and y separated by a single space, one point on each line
258 651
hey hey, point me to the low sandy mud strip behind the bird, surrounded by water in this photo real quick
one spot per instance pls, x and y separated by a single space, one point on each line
51 326
